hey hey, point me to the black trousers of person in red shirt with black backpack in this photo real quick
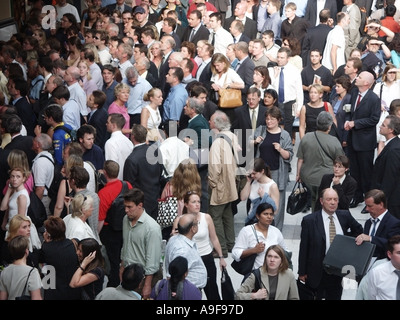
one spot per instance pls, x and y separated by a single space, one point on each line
112 240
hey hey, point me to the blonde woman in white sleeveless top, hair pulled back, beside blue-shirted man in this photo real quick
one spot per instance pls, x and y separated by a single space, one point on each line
150 117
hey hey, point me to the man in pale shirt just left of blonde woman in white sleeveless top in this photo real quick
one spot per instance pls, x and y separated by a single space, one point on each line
138 87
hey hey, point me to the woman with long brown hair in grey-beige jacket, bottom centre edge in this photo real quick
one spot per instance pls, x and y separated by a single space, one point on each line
275 282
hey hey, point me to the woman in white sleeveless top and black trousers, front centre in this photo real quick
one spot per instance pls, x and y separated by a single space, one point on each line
206 240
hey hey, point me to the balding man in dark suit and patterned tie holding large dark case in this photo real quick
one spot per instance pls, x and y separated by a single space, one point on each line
315 239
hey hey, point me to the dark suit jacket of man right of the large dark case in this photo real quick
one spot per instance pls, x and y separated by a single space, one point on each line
388 227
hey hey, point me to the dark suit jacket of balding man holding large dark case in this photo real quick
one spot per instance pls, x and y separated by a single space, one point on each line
313 243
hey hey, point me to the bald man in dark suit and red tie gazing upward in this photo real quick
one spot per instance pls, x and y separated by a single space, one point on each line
361 124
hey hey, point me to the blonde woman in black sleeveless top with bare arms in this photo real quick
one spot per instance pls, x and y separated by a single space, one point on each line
310 111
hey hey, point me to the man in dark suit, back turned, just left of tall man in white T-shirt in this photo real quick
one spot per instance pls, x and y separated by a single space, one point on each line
315 37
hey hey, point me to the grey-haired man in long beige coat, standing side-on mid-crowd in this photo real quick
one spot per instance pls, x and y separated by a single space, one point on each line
222 165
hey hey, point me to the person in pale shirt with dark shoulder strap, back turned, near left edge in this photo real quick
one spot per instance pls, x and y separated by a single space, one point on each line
43 167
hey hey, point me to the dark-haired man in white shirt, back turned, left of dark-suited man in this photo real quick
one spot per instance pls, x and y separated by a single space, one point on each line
118 147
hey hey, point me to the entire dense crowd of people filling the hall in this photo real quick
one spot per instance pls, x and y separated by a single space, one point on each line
116 105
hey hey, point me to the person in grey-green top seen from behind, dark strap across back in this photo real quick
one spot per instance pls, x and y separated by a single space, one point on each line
316 153
